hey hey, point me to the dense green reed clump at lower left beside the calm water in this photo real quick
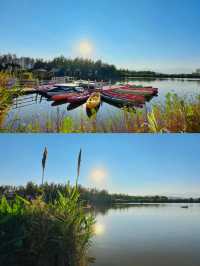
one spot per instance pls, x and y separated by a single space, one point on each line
37 232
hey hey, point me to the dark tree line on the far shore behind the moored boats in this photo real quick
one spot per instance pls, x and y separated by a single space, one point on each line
78 67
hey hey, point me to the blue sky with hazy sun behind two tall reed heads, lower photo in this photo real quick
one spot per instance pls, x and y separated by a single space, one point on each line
134 164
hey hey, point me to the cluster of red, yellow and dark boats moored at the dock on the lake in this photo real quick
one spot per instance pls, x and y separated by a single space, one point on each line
75 93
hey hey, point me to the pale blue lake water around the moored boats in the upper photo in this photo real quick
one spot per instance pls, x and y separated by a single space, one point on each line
31 106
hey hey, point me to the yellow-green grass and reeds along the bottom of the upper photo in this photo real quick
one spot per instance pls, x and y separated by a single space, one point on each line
176 114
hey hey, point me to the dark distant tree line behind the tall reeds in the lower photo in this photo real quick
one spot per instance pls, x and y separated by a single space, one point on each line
93 197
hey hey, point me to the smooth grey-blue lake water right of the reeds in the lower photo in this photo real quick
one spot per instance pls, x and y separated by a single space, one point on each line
161 235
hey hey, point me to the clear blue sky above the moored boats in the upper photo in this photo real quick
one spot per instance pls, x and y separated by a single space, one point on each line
139 34
